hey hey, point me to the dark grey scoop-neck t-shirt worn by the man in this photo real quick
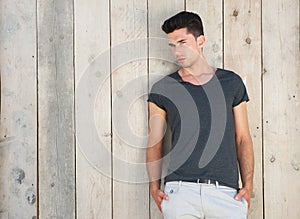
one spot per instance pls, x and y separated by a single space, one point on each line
202 125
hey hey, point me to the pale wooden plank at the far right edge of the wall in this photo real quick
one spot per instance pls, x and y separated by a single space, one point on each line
281 80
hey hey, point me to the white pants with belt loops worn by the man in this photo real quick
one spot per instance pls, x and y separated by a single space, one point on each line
202 201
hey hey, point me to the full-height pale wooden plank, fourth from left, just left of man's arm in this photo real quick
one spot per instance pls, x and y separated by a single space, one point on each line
129 65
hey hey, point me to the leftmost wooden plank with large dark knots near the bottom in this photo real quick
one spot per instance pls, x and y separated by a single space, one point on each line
18 129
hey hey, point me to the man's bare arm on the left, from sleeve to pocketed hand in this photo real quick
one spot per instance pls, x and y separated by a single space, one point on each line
157 118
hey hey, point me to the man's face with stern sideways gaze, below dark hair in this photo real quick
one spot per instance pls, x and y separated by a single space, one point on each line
185 47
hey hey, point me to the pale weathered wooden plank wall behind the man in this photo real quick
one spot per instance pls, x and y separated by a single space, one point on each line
74 81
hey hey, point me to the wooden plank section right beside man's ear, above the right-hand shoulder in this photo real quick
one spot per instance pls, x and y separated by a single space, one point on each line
211 15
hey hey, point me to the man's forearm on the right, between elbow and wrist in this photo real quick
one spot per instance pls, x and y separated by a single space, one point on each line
246 161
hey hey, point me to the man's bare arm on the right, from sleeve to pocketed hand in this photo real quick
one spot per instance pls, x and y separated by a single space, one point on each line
245 153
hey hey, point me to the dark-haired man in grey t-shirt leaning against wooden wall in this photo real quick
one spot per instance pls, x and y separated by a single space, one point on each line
206 110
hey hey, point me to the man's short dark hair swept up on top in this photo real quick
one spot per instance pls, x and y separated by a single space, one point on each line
183 19
